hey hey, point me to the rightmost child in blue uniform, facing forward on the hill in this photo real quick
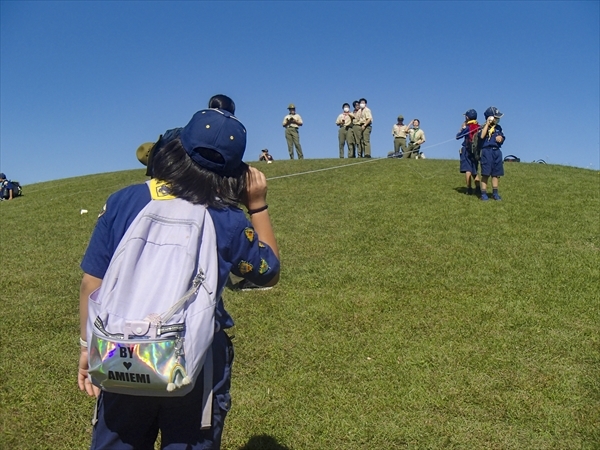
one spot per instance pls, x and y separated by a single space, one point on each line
492 163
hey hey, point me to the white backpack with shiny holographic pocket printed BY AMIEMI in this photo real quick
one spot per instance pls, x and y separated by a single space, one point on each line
152 321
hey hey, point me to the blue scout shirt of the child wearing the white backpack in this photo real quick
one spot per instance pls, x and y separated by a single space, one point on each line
238 249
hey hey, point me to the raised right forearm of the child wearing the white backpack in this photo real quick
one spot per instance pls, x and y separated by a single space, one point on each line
256 198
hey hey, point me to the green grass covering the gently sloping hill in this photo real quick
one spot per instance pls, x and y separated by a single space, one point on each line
408 314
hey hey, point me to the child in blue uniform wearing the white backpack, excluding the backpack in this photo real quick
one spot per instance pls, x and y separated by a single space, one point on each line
202 165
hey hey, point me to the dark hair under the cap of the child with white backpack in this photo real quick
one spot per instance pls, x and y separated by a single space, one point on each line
191 182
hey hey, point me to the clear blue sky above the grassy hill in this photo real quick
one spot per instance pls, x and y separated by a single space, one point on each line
84 83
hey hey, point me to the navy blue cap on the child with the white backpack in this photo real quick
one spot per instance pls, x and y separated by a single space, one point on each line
217 130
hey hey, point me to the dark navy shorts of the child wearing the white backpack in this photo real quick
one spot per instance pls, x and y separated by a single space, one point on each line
132 422
